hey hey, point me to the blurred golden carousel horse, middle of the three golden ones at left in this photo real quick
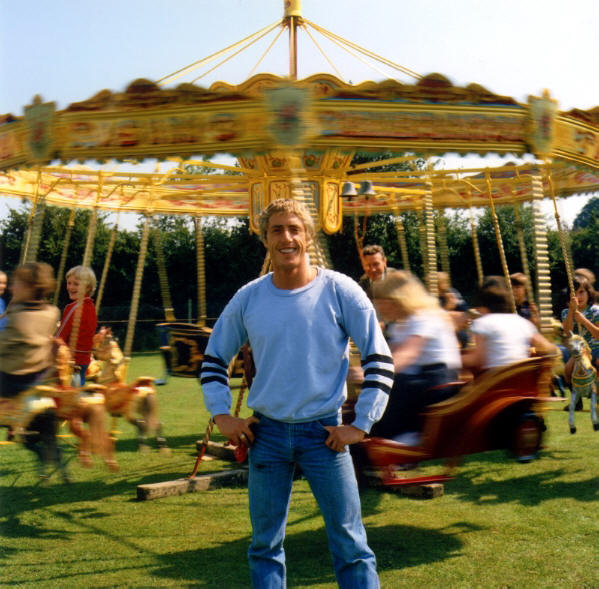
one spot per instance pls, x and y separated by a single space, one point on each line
79 406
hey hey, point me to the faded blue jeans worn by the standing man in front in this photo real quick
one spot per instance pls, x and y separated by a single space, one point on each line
276 449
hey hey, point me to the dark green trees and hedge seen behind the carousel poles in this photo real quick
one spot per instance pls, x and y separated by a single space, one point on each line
233 256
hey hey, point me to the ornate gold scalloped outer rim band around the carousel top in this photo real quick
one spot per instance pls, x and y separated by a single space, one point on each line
321 112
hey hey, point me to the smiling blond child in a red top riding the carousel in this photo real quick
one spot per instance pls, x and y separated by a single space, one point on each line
81 283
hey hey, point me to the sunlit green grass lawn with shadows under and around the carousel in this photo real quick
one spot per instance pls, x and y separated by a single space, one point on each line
499 524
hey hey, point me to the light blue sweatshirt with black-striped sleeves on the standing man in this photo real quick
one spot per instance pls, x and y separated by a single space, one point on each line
300 343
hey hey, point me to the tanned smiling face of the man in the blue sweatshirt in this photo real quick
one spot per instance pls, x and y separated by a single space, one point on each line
286 241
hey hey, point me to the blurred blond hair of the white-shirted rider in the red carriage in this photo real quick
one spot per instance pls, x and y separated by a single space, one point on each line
406 290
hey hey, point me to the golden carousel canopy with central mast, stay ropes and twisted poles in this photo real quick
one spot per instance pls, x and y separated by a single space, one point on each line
296 138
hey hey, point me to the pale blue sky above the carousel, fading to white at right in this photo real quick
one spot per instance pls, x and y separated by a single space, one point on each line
68 50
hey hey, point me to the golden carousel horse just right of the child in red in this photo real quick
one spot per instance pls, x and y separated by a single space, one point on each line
136 402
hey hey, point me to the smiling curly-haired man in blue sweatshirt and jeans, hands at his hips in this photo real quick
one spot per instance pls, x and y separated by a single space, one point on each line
298 320
